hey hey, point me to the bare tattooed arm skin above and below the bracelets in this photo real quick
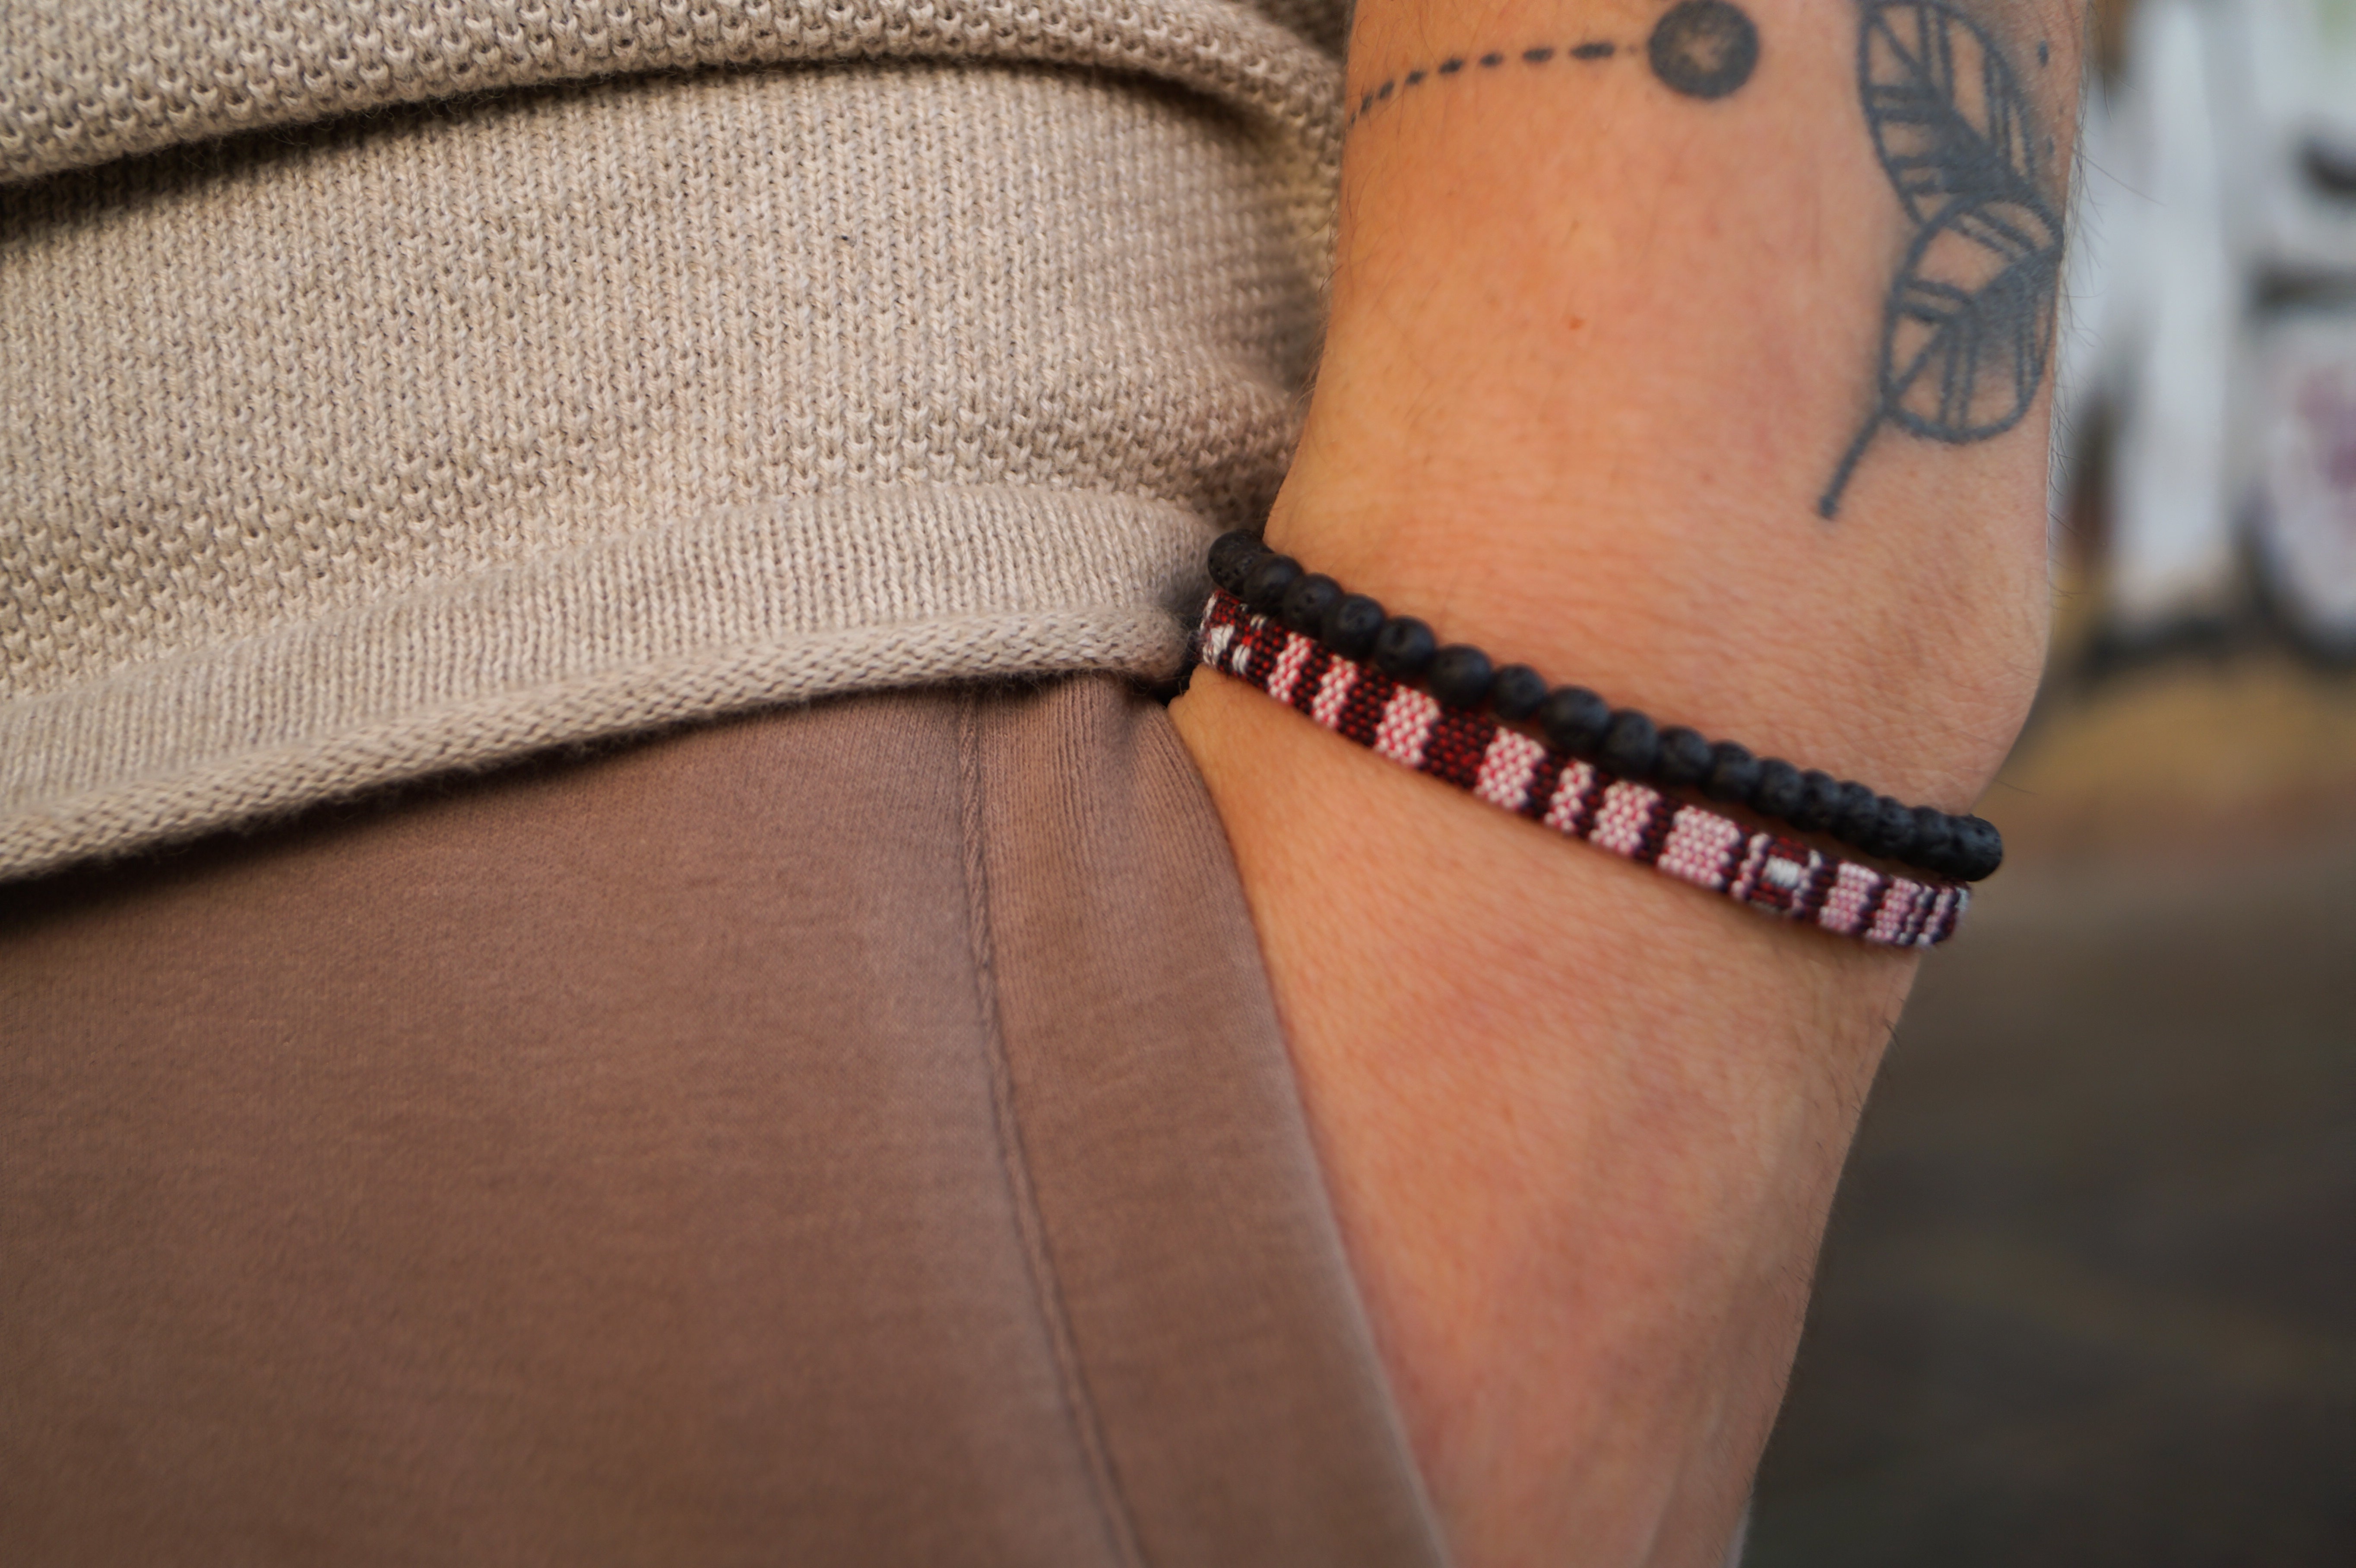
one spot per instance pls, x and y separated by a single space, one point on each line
1594 359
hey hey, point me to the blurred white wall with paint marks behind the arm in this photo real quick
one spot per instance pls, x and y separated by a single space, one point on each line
2211 319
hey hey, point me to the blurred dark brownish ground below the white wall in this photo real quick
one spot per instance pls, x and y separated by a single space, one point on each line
2091 1284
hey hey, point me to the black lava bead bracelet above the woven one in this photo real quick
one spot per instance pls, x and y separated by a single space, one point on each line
1617 740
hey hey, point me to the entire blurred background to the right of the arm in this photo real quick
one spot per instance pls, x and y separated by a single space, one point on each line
2091 1282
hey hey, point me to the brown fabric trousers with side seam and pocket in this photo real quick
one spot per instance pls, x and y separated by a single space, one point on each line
856 1134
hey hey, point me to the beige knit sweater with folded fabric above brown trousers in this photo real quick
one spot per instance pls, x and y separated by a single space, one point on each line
406 385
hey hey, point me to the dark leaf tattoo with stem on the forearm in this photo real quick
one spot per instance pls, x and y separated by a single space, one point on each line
1968 326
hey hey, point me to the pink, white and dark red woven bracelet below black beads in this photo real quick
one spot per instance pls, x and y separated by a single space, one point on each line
1474 752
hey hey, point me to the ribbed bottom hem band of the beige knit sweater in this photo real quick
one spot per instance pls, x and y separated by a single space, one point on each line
637 634
